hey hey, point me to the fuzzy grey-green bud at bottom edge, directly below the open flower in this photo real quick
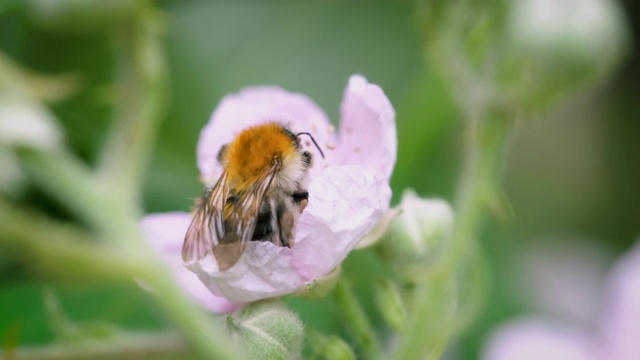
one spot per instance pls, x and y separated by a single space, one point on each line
268 330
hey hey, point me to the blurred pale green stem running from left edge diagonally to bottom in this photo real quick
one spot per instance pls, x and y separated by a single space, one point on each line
70 252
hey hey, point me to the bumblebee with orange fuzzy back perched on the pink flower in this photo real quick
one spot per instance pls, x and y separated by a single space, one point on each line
259 196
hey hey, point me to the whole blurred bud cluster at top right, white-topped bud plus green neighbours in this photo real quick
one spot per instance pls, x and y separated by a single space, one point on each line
522 56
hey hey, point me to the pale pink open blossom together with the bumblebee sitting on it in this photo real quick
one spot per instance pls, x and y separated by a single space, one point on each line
290 195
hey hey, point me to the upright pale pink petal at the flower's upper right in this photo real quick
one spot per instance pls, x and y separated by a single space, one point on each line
367 128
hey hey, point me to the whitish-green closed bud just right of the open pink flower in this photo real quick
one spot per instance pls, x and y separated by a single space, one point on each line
418 235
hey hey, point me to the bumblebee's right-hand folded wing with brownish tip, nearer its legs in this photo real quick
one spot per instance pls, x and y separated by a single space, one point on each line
242 218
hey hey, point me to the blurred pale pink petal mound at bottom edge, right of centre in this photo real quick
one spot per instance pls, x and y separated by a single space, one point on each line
536 340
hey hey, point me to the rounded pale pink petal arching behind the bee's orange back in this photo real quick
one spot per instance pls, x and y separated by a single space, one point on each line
257 105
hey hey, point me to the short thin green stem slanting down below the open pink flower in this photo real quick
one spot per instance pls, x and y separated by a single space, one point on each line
357 319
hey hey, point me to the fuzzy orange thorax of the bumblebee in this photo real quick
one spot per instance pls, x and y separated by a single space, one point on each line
253 150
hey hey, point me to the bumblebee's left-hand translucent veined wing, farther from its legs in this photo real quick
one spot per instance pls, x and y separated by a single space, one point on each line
207 226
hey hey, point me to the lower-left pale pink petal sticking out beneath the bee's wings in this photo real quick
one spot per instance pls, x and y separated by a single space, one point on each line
166 234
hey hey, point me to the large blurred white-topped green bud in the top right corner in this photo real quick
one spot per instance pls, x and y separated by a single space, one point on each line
558 46
